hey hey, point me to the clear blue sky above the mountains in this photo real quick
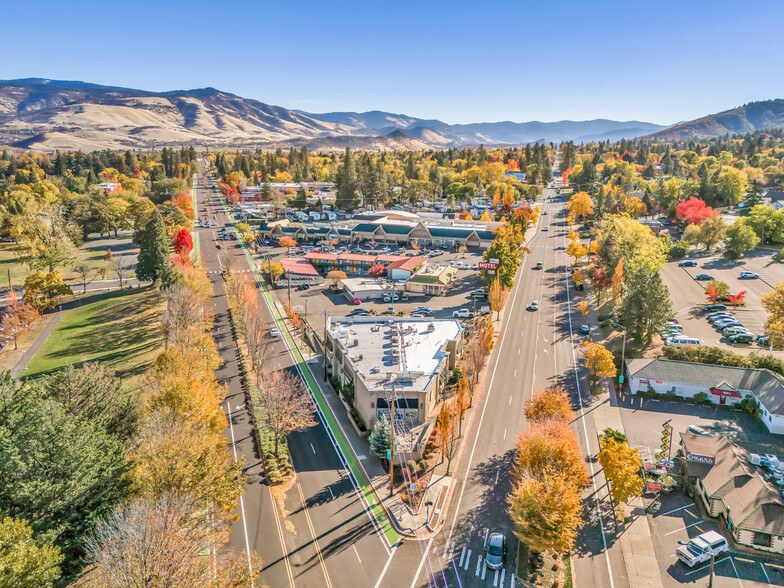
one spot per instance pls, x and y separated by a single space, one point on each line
456 61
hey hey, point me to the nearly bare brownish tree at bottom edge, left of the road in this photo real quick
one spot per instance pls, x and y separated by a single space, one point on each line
172 539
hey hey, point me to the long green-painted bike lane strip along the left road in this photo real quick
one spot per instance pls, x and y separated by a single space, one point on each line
334 430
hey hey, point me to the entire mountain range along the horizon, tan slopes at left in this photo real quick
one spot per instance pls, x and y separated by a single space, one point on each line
47 114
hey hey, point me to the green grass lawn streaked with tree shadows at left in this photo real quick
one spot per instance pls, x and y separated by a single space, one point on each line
119 329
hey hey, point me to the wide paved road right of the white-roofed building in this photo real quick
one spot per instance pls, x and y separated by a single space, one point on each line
537 349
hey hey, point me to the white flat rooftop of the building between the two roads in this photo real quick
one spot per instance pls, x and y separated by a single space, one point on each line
402 352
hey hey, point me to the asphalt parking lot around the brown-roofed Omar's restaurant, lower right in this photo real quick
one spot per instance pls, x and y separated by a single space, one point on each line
675 517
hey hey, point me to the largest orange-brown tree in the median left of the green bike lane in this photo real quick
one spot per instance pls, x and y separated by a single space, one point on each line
285 405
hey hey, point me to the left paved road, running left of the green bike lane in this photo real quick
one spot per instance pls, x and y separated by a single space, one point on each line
328 539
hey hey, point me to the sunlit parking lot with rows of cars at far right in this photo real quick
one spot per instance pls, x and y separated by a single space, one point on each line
687 294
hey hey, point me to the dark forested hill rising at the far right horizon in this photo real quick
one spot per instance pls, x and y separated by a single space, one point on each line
754 116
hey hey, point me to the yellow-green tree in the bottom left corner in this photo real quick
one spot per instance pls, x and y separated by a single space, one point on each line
26 560
